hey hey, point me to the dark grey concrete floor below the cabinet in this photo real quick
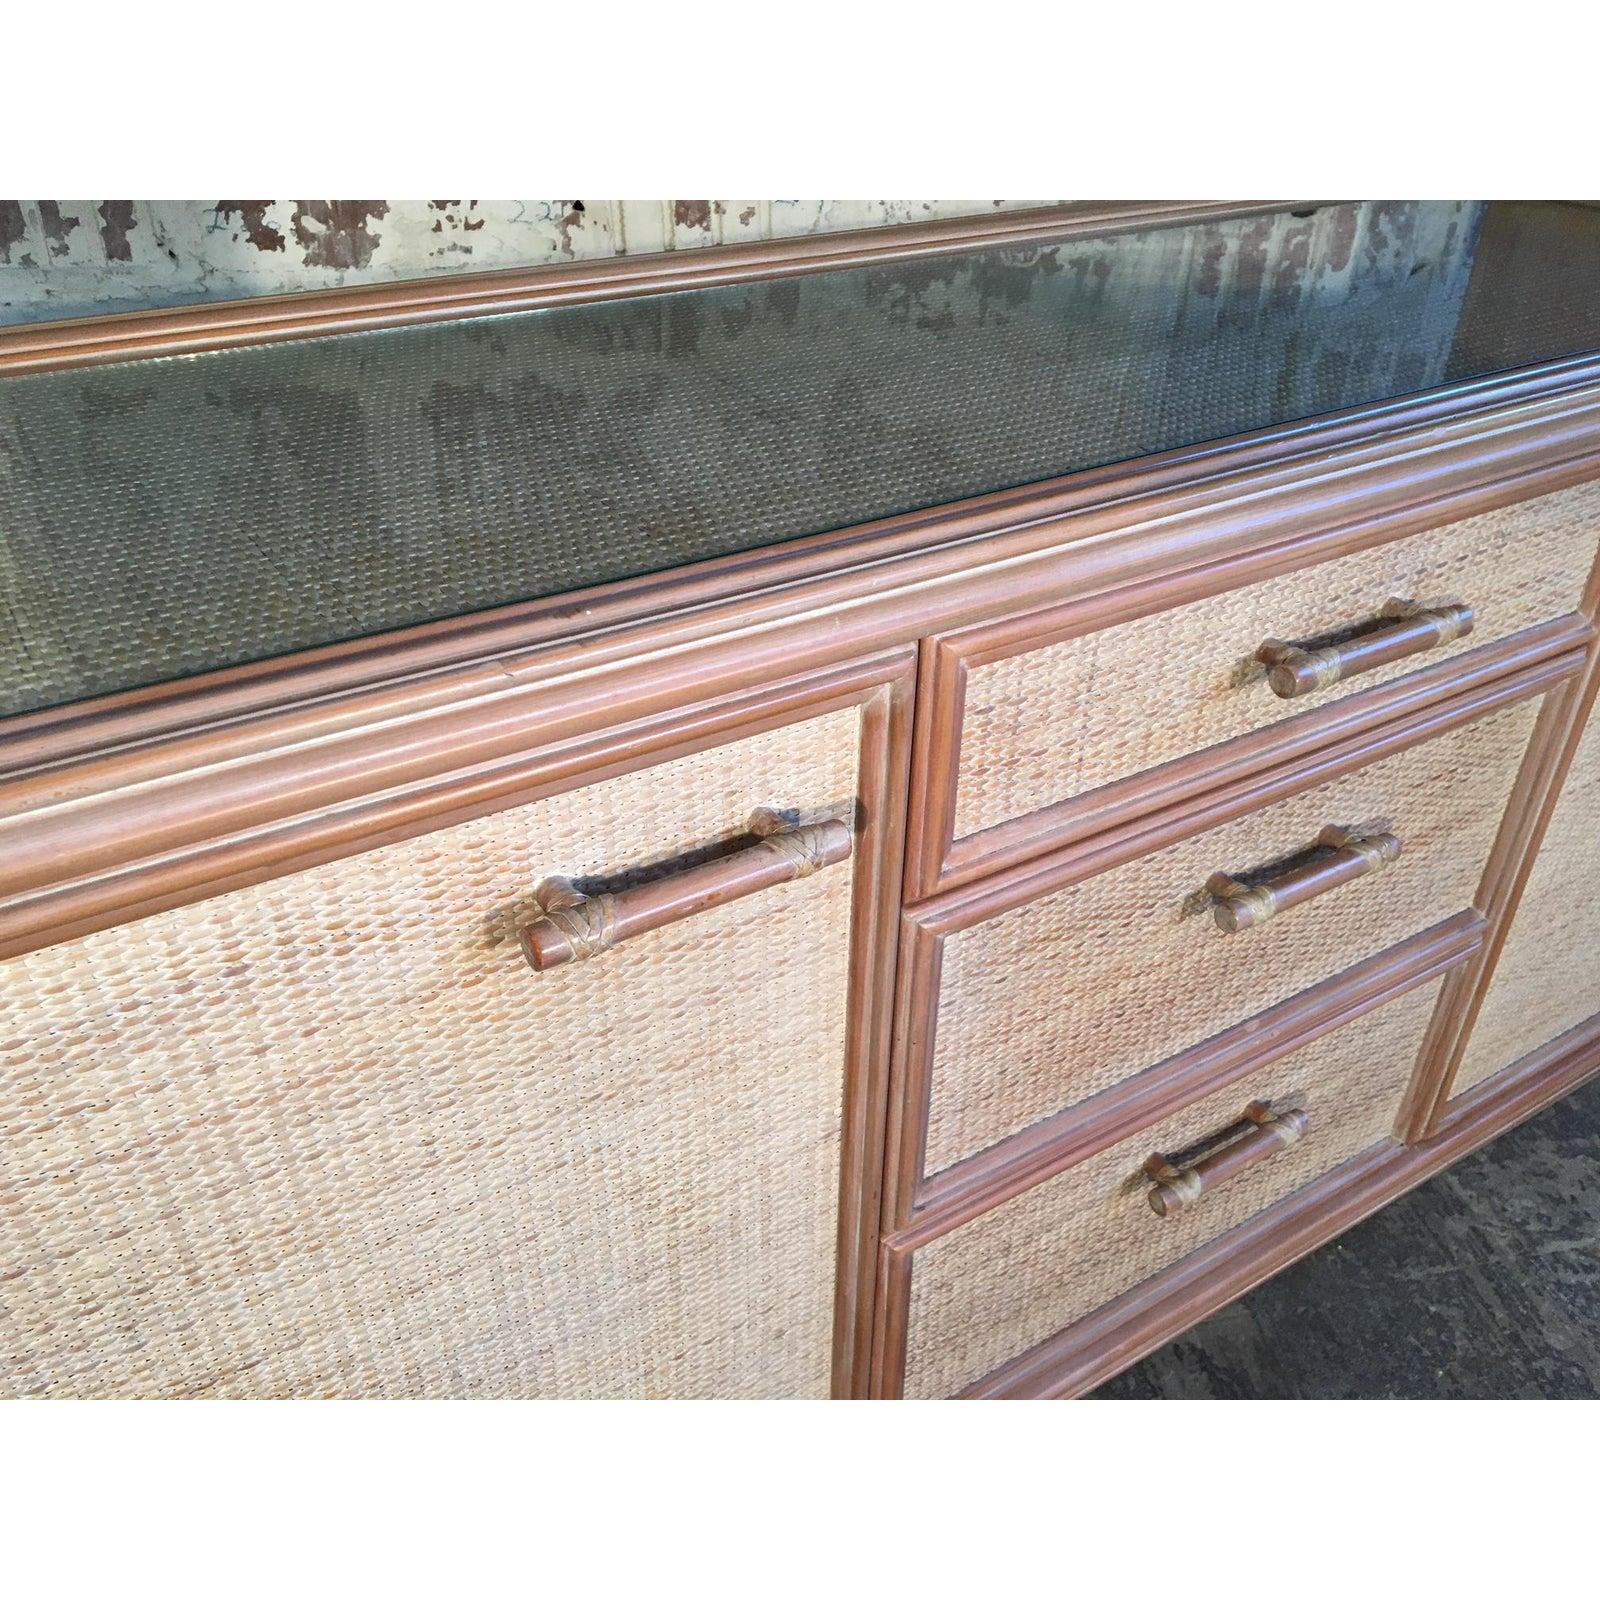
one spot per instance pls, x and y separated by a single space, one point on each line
1481 1286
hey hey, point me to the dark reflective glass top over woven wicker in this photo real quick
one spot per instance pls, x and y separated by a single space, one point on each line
167 518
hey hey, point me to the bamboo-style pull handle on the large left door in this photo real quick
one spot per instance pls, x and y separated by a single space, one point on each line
575 927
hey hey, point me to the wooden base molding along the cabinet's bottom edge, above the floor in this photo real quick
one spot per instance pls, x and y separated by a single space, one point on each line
1130 1327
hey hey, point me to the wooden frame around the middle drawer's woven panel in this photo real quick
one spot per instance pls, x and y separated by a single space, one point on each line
916 1204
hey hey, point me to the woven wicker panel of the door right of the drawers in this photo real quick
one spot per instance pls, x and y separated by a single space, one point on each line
1548 977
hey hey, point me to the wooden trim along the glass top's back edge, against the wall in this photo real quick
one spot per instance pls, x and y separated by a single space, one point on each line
223 326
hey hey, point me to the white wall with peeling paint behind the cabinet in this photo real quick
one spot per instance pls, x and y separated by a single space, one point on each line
79 258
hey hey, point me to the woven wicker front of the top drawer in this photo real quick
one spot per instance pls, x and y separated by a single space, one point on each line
1070 724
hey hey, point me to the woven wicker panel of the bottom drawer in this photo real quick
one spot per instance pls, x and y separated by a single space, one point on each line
998 1287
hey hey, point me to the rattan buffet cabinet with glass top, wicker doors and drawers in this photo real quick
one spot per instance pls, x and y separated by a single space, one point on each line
897 815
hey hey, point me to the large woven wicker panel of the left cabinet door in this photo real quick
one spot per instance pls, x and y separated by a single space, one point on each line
330 1137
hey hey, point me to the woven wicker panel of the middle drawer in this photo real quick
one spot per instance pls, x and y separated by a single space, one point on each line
1057 1001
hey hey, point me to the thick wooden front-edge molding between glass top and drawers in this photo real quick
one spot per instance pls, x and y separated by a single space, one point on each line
94 833
